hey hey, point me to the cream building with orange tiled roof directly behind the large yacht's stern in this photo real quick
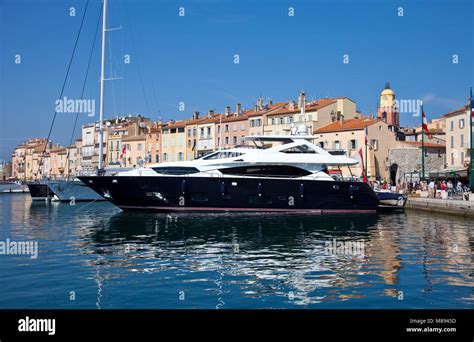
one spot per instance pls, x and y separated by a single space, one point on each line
348 137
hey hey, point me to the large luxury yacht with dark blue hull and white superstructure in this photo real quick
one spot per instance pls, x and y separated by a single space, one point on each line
291 175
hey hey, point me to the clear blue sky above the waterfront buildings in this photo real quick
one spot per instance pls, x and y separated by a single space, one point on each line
191 58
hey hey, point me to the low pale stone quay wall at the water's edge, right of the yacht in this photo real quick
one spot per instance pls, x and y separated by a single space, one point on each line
443 206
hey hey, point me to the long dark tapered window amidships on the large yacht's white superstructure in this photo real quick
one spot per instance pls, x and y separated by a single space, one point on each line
286 171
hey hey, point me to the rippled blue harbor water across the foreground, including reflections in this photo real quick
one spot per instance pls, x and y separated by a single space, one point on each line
92 255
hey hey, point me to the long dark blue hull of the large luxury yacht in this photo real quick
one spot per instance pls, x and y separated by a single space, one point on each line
178 193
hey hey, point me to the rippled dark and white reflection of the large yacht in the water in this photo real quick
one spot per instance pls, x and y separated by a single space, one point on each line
270 255
